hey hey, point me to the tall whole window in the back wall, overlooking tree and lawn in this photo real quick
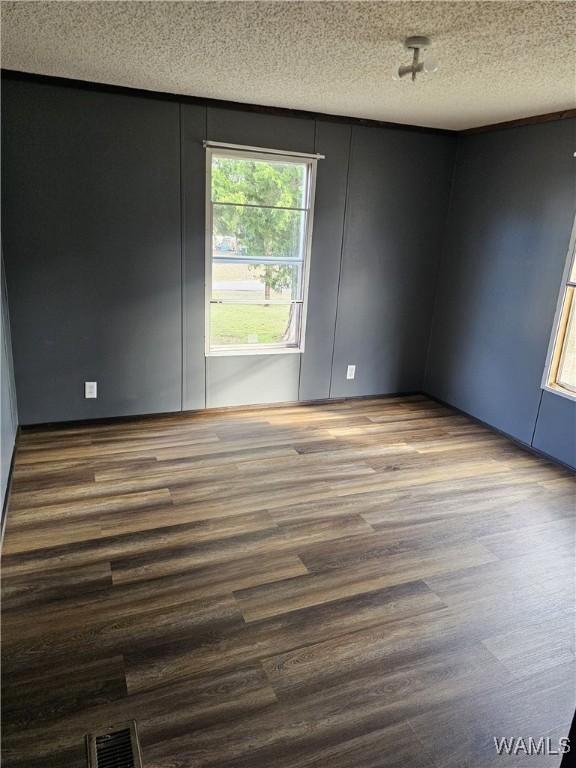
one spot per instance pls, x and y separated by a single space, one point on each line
259 227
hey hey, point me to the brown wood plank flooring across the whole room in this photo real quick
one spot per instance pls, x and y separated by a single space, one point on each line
362 584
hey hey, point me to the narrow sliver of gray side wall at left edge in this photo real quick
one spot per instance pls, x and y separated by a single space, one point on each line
8 406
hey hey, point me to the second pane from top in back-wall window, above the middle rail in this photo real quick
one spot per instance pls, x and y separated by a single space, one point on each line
257 233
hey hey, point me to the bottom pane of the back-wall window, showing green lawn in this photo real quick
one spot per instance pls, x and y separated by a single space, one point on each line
239 324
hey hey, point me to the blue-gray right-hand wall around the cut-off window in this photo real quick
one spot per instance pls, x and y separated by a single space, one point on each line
511 215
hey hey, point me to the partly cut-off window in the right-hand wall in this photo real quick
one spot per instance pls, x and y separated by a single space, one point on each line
561 369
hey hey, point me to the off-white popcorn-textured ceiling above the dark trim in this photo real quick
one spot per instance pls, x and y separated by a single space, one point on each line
498 60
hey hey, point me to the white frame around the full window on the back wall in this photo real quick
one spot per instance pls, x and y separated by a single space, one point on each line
234 150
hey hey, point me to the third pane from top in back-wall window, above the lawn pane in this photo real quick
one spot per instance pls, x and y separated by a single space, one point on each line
235 281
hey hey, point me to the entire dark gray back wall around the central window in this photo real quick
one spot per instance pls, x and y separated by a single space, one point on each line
104 217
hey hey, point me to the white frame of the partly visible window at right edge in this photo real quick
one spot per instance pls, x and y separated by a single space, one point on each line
566 306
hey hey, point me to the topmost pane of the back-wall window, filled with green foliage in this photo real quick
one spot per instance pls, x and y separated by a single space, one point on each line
259 182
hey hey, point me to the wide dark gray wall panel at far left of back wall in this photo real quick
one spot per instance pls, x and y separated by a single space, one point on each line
91 238
